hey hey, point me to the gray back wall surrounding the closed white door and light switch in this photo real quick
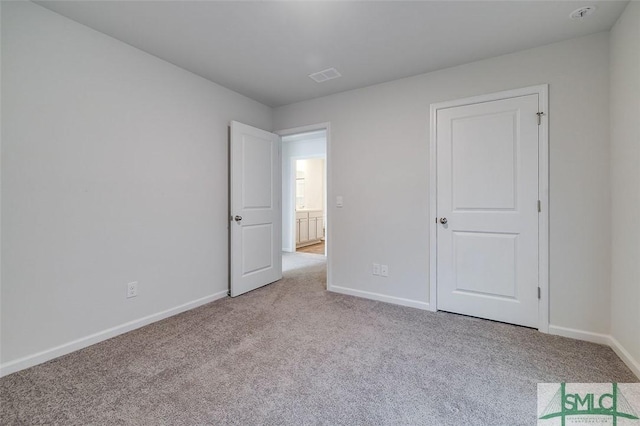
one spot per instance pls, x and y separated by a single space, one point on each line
380 164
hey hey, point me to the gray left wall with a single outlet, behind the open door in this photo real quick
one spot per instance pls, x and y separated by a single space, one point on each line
114 169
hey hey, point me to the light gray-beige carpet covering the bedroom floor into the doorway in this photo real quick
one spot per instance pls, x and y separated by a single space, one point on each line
293 353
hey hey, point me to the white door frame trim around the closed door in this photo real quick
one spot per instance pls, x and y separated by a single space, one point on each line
543 192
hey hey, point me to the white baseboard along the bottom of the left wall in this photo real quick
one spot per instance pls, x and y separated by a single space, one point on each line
83 342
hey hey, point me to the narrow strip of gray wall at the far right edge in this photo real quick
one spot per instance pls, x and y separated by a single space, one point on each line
625 180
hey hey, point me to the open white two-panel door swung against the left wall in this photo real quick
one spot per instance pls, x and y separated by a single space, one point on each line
255 228
